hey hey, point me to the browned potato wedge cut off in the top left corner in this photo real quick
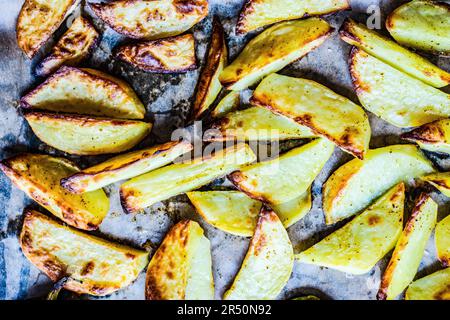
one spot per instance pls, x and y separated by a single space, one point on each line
38 20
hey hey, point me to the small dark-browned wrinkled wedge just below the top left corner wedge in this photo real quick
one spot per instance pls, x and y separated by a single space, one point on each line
74 46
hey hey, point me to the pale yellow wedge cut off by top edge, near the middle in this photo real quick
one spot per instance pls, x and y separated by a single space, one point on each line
259 13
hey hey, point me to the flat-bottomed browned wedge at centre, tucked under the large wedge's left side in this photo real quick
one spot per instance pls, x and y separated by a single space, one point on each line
256 123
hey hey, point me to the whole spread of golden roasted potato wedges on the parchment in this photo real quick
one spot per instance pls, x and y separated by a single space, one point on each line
85 112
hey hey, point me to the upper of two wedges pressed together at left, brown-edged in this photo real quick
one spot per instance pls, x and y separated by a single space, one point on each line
85 91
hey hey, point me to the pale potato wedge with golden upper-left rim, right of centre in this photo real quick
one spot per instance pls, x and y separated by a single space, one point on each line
354 185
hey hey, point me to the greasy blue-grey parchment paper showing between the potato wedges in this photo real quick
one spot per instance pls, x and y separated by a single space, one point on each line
168 99
